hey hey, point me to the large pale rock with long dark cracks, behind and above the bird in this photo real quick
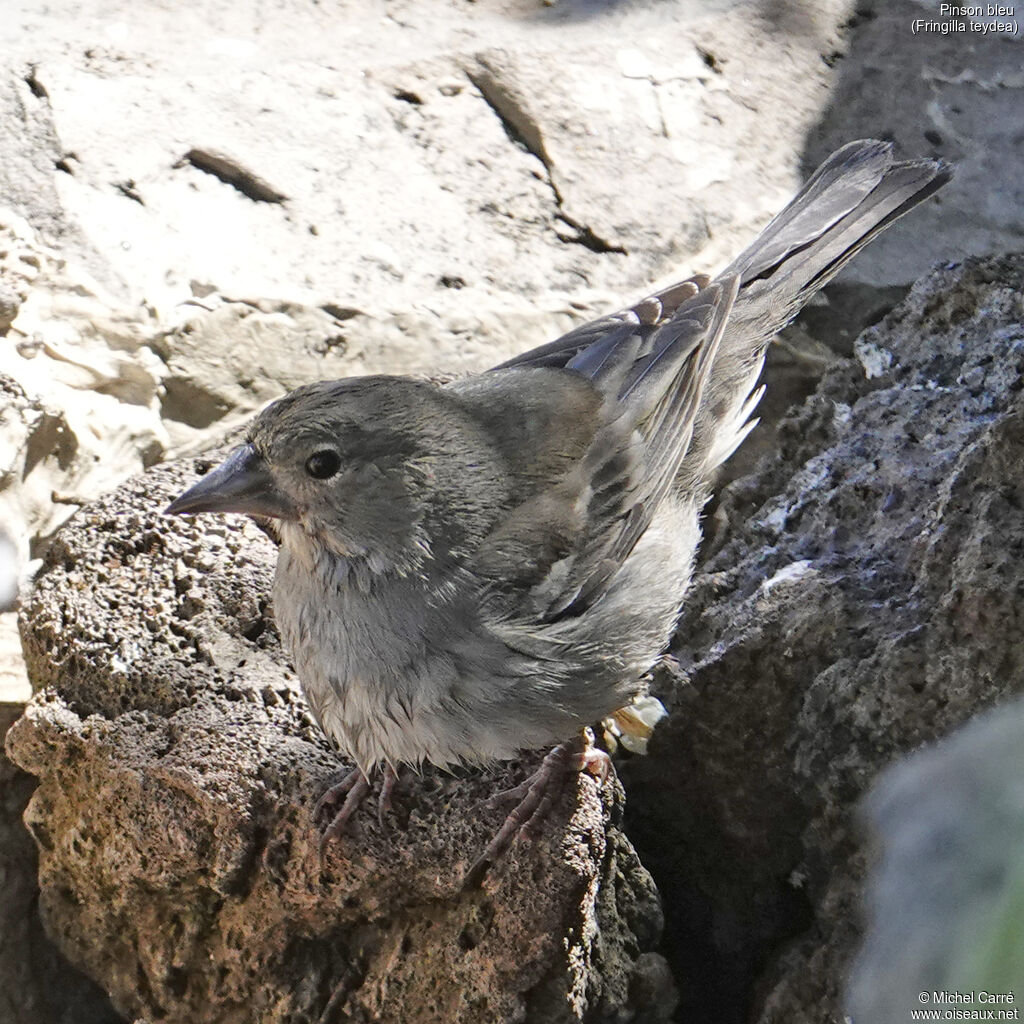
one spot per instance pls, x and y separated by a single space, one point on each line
504 145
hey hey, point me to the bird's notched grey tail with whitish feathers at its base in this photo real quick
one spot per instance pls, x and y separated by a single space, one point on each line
857 194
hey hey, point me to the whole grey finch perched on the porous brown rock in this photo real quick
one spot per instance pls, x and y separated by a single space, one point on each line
479 569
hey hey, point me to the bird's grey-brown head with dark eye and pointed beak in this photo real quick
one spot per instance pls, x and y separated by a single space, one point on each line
360 468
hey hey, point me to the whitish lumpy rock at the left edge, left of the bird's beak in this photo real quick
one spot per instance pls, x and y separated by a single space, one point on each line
80 409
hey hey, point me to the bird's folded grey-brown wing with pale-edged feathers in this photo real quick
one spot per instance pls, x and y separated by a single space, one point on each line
569 542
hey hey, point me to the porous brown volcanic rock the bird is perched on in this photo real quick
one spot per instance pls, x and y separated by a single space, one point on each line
179 769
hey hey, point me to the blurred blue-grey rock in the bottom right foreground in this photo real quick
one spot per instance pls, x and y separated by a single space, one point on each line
945 901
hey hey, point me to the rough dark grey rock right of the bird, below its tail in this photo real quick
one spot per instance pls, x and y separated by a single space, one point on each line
864 595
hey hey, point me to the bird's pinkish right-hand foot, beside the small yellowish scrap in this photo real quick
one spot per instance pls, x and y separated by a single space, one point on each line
535 797
